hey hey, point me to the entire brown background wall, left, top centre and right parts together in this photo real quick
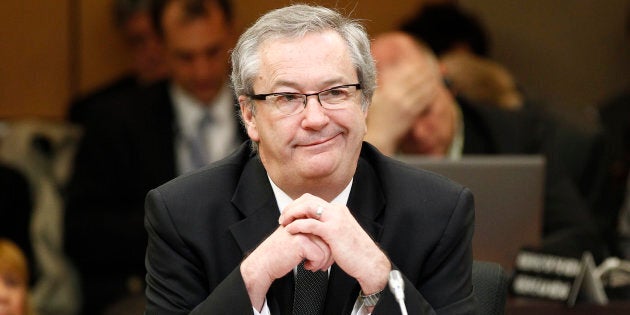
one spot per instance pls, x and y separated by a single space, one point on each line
564 52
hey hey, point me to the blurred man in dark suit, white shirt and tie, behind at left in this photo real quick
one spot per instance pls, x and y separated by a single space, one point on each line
137 143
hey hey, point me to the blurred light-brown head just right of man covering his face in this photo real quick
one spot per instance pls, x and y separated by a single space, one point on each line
481 80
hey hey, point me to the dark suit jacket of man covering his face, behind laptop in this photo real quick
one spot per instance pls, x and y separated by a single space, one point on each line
569 225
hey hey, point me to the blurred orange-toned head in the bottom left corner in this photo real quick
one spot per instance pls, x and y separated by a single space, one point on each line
13 280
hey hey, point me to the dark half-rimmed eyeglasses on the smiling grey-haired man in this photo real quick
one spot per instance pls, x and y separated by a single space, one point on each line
294 103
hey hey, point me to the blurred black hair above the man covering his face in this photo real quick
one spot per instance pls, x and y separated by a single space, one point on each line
445 27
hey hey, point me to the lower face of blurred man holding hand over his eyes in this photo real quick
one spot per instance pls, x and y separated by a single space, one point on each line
434 129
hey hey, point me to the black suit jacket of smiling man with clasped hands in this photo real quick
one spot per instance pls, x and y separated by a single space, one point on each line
202 225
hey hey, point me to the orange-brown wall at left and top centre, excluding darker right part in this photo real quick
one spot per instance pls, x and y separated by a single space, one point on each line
55 49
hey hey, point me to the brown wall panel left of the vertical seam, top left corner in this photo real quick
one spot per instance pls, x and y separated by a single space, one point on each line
34 67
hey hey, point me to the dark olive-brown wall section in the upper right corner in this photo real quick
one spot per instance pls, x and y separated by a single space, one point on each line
567 54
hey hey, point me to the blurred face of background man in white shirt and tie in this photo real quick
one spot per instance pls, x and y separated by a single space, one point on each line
197 50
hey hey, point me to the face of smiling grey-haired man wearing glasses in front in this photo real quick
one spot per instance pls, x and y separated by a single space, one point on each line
318 144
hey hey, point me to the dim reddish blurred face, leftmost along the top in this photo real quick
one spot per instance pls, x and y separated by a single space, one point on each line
145 48
